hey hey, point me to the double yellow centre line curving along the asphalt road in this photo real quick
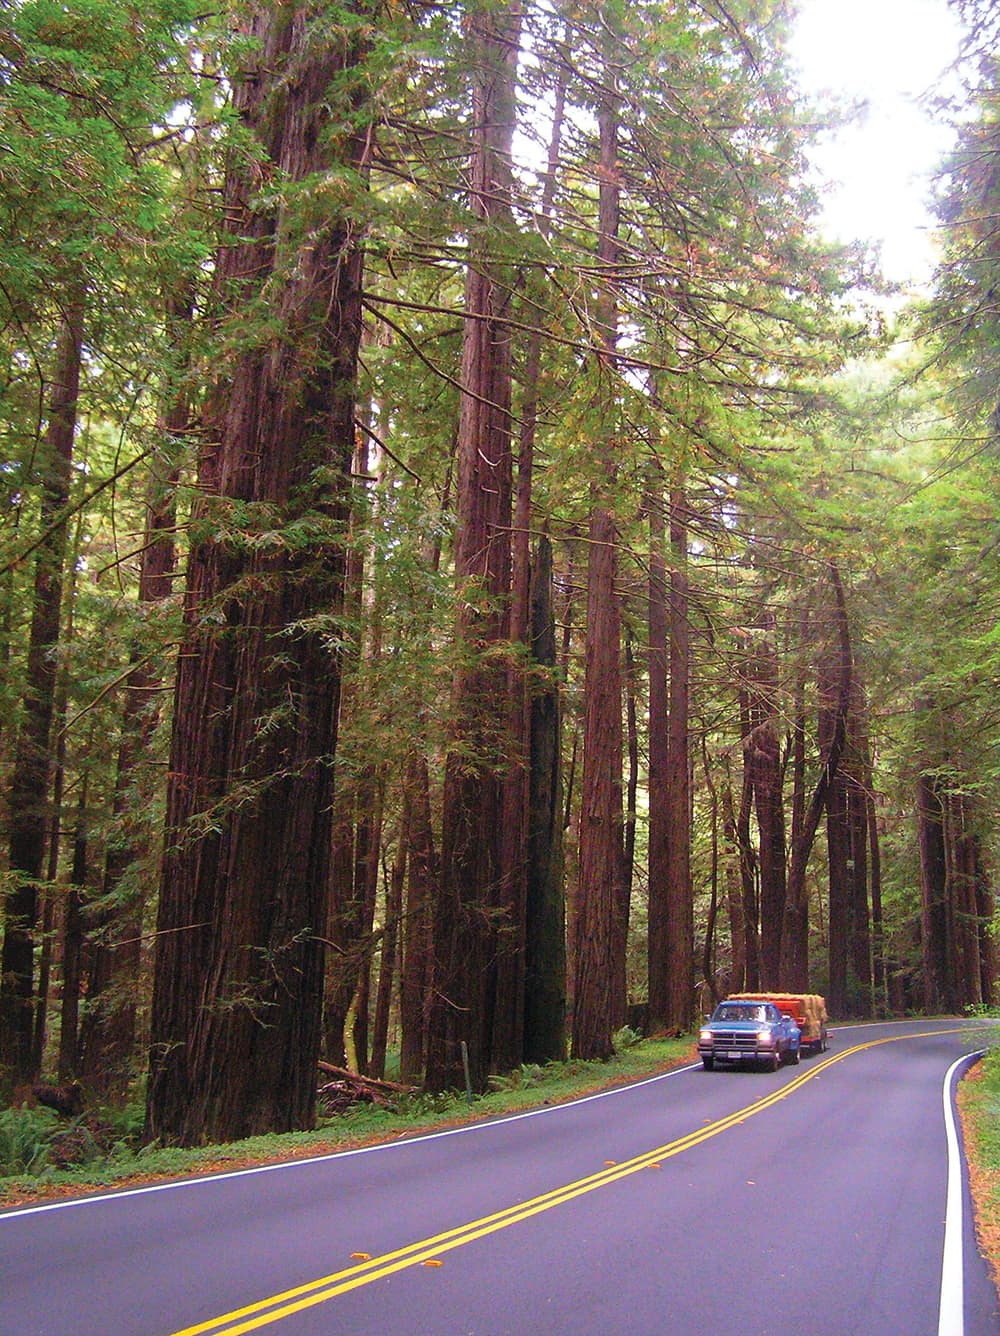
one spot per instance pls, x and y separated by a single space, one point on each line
278 1307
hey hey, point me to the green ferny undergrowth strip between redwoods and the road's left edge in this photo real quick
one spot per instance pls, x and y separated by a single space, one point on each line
34 1142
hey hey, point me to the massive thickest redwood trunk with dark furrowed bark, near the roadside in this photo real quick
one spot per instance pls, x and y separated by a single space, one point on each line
238 987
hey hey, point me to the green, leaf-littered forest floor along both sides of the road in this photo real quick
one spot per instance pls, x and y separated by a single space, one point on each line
45 1158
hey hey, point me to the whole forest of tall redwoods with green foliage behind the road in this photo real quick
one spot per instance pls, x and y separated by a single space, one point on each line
481 572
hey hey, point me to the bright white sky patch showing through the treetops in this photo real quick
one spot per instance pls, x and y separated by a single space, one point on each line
889 53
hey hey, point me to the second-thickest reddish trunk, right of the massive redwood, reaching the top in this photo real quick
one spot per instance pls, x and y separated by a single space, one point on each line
477 914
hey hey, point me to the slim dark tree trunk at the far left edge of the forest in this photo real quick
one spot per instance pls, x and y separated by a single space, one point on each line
30 777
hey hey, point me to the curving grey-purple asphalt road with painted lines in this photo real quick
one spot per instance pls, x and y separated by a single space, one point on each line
807 1203
